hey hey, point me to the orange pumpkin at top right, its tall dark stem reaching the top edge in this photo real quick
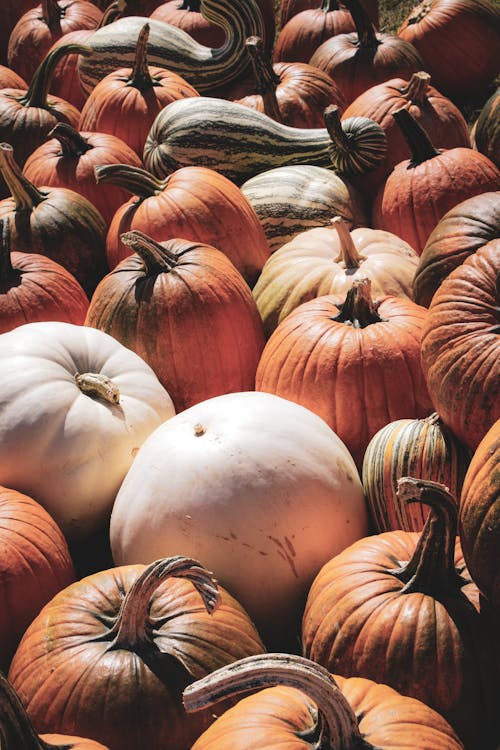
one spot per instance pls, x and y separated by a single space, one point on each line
359 60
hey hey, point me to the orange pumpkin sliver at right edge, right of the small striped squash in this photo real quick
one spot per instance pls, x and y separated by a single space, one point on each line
479 518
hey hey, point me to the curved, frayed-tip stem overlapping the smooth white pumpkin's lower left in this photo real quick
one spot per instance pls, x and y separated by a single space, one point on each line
133 625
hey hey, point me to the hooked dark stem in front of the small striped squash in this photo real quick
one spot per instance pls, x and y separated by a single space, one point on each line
431 569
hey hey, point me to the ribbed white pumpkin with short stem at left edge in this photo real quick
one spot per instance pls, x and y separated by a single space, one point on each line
60 442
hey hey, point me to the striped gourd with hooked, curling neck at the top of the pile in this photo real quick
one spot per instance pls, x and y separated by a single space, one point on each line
205 68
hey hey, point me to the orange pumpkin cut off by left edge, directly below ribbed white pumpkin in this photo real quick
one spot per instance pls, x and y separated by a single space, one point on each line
35 564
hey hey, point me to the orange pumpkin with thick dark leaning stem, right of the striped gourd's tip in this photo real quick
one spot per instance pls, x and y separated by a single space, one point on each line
419 191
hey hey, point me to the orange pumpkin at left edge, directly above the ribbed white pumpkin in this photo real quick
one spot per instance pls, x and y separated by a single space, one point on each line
35 288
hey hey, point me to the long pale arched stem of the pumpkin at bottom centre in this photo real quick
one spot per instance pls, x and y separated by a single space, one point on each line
339 725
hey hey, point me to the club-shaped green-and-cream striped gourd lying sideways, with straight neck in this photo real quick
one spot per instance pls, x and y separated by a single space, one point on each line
240 142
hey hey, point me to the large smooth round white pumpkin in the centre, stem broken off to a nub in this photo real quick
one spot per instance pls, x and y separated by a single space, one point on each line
257 488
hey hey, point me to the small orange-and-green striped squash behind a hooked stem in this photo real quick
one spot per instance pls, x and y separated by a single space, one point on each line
419 448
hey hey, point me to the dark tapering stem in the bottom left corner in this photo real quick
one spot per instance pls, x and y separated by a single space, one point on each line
16 730
